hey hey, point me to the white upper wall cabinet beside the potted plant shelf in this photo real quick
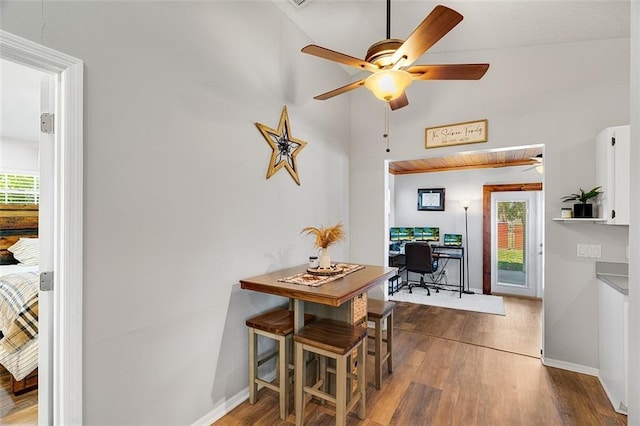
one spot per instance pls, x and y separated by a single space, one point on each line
613 173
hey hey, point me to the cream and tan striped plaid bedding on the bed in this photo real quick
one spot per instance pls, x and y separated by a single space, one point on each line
19 323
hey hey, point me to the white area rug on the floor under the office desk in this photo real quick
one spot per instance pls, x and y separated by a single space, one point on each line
449 299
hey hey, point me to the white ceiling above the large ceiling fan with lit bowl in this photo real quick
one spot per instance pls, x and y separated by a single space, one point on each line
351 26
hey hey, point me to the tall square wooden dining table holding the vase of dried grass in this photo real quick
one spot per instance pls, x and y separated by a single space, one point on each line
331 300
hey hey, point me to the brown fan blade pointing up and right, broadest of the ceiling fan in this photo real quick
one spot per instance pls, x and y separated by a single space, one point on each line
436 25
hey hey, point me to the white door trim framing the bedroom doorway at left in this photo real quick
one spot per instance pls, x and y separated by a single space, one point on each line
68 175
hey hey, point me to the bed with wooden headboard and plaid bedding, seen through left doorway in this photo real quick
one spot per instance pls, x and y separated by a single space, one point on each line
19 282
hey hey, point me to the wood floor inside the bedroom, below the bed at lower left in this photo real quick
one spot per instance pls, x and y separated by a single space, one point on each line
16 410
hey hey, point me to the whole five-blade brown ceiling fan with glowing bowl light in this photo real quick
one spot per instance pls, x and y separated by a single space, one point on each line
390 60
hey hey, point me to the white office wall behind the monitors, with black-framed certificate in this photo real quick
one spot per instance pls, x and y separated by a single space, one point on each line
459 186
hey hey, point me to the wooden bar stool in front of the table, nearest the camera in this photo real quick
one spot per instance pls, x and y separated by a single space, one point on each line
335 340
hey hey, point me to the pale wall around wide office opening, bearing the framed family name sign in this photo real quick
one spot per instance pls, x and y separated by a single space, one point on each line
560 95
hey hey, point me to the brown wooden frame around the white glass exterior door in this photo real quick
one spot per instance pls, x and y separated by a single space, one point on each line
487 190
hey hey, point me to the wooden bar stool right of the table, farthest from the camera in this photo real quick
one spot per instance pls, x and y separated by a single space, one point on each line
378 311
